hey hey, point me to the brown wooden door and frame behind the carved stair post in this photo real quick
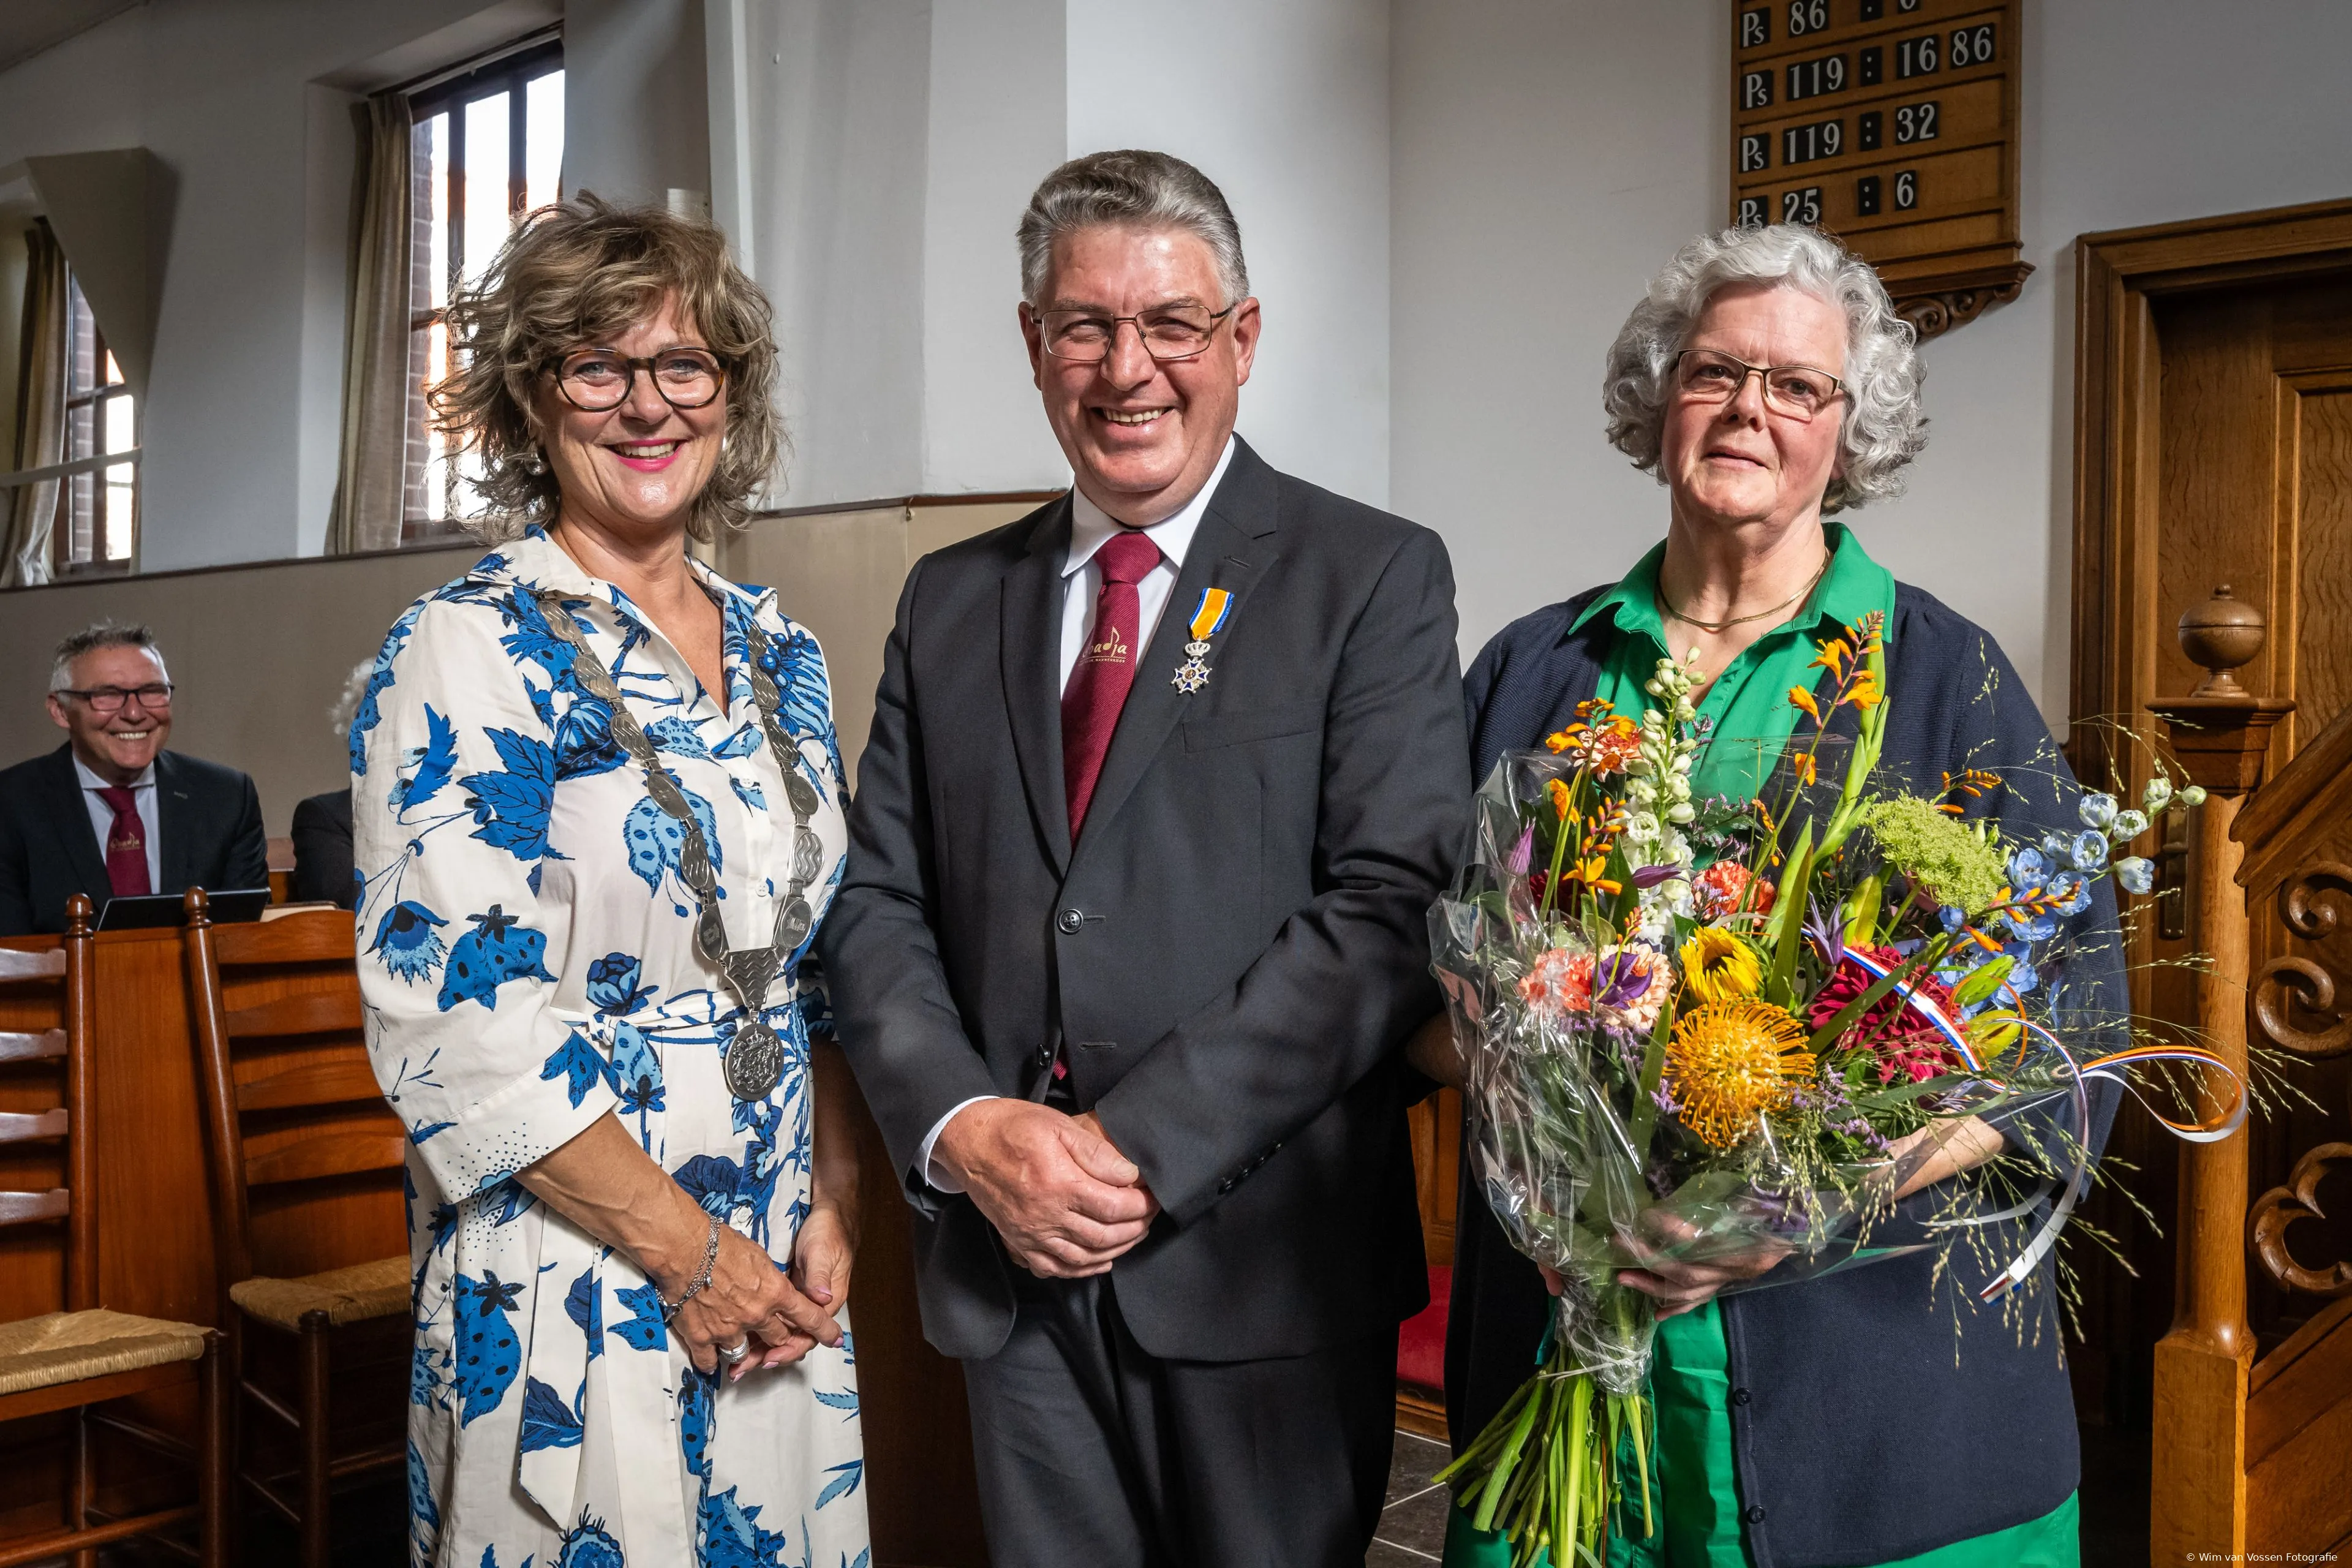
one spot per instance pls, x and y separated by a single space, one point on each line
2214 445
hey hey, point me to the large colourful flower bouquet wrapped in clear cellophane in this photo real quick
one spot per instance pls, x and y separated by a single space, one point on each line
1742 1064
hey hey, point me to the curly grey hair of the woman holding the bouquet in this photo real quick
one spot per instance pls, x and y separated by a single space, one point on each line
1883 427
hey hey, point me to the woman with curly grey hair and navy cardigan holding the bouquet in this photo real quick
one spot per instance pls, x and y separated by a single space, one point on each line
1770 384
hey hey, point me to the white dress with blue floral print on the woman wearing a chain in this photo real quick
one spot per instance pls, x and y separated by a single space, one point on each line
528 967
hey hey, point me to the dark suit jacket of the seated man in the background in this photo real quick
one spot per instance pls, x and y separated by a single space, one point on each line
208 819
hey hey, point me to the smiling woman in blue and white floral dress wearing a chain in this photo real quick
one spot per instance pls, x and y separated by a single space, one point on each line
599 812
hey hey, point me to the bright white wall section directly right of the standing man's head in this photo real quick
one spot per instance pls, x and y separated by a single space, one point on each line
1288 109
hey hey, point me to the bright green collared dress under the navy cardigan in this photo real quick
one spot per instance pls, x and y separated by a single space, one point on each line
1697 1499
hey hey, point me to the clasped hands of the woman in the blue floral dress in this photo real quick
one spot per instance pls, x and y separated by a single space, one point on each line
751 1301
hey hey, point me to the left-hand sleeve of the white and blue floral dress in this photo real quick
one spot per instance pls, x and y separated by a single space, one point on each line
453 786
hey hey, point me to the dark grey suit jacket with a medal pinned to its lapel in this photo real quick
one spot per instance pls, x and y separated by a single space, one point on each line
1234 951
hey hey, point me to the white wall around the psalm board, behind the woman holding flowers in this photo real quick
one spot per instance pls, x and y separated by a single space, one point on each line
1556 152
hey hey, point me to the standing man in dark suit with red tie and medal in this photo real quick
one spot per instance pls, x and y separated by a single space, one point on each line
1163 782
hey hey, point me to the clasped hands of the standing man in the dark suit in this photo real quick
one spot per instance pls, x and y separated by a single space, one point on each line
1064 1200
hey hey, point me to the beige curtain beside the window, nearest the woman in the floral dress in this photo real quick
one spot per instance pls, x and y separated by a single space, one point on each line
368 495
